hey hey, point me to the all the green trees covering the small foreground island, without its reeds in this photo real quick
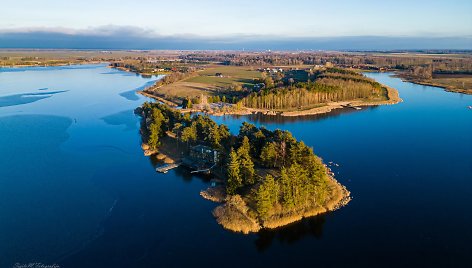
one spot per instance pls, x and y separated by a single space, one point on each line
270 170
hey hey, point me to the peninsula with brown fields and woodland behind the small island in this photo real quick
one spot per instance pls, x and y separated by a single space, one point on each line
286 91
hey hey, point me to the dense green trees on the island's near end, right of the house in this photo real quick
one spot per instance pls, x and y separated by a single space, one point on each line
297 179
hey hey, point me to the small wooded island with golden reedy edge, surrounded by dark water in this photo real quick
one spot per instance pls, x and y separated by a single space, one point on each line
264 178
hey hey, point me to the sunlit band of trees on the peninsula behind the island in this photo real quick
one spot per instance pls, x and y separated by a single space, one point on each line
329 86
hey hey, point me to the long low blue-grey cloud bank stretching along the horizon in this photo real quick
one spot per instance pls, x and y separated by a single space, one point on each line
130 37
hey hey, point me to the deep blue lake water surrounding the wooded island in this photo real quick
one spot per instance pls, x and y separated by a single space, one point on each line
76 190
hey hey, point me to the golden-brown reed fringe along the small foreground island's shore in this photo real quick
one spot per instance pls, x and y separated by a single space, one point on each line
237 212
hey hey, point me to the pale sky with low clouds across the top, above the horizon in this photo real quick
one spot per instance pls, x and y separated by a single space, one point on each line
241 21
